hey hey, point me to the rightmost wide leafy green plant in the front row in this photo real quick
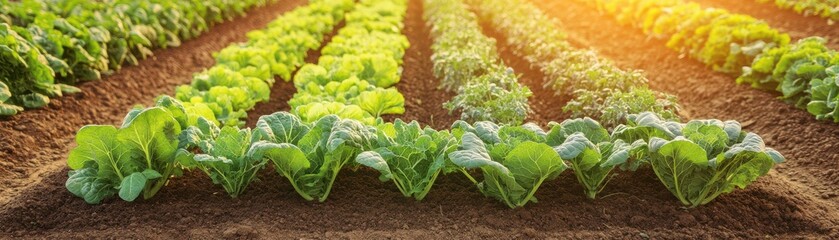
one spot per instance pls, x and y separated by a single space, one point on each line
709 158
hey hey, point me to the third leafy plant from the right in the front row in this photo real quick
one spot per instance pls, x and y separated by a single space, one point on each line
514 160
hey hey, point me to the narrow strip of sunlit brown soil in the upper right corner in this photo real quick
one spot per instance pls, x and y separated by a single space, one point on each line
796 25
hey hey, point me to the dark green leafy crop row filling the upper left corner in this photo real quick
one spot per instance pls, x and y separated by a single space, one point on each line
50 45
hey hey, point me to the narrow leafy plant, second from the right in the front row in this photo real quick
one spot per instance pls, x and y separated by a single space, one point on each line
591 153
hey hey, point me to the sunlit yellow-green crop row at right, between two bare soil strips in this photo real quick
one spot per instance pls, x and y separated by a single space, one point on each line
806 73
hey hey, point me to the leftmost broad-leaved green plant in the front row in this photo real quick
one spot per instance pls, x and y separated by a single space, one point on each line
137 158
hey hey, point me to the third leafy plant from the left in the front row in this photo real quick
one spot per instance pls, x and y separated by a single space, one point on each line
310 155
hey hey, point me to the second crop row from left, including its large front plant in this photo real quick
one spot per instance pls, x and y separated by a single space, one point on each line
139 156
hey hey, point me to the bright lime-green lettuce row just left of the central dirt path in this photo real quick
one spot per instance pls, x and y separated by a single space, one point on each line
357 70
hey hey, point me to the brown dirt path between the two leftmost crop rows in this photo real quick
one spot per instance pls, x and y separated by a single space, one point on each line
35 143
